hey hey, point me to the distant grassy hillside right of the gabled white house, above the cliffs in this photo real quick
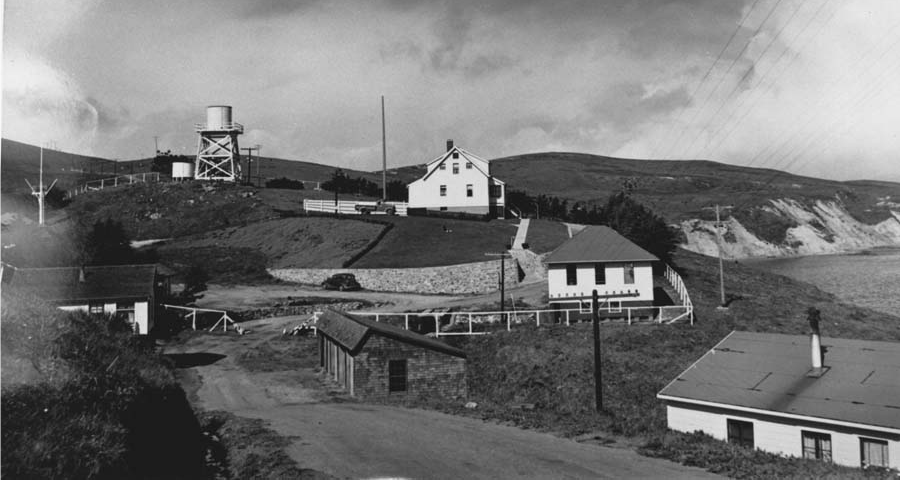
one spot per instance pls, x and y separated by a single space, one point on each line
681 189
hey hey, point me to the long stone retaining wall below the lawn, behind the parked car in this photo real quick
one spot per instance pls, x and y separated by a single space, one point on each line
479 277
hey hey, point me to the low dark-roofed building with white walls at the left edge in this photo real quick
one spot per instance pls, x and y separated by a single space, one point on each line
125 290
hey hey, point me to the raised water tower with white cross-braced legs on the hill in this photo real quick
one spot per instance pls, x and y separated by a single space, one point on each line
218 154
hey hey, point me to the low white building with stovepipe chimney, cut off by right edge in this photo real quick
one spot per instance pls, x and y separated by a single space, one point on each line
765 391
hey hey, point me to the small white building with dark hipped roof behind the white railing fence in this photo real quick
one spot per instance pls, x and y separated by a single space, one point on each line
598 258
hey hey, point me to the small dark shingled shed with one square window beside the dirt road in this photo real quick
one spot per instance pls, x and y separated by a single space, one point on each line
377 360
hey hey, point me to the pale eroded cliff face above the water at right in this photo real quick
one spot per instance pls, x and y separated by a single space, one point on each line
822 228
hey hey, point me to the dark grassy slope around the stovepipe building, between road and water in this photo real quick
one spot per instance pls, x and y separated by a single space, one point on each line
551 367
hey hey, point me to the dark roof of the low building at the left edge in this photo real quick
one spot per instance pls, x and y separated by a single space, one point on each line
64 284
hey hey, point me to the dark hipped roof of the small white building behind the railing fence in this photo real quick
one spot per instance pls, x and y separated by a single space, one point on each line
599 244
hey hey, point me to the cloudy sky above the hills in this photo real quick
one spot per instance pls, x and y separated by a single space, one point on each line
806 86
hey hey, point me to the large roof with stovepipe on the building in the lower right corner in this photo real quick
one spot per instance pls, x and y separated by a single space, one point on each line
767 373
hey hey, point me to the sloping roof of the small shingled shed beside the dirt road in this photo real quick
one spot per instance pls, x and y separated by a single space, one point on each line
352 331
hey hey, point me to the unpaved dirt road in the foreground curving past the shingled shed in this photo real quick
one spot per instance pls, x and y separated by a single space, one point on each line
345 438
